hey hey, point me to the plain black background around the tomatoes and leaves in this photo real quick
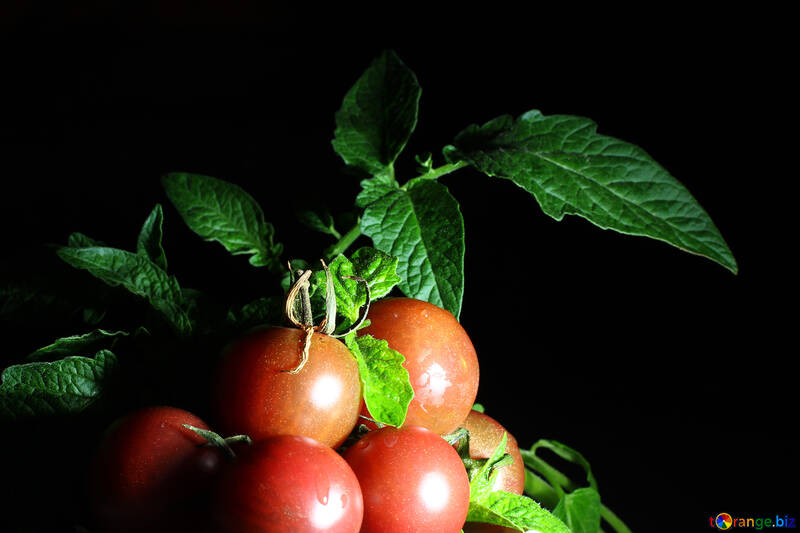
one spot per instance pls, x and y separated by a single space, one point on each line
669 373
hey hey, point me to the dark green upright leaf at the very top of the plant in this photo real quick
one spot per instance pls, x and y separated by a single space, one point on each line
377 116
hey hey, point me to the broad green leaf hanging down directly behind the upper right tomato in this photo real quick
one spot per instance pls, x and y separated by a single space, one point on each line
421 225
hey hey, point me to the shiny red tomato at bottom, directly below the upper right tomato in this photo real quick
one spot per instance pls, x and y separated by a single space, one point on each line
412 480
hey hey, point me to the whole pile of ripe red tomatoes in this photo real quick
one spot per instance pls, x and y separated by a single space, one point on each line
292 478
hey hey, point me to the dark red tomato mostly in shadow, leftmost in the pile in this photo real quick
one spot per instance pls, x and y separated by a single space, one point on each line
149 468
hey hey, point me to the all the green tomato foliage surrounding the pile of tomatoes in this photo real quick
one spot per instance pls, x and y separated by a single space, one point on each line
417 230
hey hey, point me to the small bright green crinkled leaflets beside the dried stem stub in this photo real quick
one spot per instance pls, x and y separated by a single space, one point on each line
378 269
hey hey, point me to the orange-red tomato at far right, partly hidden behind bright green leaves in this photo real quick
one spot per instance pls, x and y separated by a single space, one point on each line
485 434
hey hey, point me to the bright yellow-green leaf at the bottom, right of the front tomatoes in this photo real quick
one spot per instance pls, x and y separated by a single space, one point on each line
503 508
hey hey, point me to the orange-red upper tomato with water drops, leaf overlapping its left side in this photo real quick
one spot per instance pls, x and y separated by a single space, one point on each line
440 360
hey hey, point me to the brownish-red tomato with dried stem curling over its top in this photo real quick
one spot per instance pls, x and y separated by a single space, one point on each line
256 397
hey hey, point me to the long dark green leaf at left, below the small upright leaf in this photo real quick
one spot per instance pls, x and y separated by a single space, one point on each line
135 273
